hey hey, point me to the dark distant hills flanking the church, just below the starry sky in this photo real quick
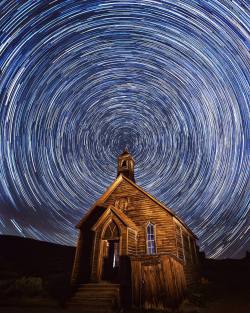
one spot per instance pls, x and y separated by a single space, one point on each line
29 257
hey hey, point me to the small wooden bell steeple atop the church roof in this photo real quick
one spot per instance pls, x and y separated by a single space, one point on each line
126 165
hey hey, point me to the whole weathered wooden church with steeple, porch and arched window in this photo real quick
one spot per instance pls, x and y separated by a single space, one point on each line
133 247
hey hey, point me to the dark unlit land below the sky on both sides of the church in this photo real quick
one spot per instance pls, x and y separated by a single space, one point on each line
34 278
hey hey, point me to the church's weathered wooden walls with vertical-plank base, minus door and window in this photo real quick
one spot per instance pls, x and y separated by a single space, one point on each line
172 268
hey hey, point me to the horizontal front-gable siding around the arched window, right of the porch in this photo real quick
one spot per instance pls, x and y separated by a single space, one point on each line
141 209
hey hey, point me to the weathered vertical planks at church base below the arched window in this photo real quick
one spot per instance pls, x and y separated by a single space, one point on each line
158 282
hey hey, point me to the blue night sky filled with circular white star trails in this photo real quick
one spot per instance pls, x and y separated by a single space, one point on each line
80 80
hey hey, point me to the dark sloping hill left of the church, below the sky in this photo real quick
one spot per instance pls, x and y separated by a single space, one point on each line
30 257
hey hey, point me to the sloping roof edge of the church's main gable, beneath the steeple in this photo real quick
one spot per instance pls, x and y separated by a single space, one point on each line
113 186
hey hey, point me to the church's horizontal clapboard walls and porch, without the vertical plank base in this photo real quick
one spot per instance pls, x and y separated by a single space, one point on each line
135 210
